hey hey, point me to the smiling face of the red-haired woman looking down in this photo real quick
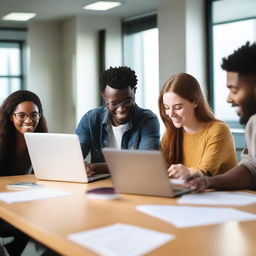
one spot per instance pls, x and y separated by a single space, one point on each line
179 110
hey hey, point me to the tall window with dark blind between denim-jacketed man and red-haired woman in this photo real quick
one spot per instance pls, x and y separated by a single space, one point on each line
141 54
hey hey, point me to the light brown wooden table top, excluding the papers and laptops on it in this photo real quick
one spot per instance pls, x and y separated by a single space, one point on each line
50 221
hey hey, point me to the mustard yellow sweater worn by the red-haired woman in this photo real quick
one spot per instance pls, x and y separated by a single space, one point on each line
211 150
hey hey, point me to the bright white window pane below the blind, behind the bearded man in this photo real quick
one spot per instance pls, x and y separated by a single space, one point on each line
225 40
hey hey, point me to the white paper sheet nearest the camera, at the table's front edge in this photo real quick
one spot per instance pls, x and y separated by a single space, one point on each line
121 239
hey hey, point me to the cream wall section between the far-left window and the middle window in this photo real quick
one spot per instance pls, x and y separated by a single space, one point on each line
63 66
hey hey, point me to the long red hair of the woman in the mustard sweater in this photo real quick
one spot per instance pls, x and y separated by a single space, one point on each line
186 87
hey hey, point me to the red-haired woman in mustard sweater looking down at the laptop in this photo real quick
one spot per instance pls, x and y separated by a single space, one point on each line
194 140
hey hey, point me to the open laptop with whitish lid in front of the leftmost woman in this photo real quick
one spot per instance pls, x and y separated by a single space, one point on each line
58 157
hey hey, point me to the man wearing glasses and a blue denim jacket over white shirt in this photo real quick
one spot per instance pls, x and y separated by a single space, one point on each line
120 123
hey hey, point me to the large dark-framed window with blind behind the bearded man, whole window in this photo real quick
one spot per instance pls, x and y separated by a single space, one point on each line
231 24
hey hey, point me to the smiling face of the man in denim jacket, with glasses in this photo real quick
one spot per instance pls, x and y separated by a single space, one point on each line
120 103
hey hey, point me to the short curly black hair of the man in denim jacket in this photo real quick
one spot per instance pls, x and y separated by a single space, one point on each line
118 78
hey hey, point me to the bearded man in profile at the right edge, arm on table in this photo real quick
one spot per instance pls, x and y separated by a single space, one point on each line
241 82
